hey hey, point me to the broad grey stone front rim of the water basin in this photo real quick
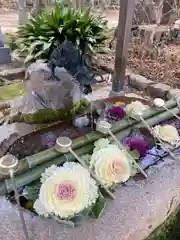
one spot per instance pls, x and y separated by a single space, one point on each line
145 198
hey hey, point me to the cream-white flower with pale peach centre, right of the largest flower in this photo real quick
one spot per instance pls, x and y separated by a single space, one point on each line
111 165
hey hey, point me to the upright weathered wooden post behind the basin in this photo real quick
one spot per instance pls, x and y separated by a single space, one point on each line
124 32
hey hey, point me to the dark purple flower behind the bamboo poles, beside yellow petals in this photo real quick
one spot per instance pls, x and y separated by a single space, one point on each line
115 113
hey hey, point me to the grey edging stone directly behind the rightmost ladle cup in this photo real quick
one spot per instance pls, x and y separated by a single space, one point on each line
158 90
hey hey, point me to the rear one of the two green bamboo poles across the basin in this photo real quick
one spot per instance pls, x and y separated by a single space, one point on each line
45 156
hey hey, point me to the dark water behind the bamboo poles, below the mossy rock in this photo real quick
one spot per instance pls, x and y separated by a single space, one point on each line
44 139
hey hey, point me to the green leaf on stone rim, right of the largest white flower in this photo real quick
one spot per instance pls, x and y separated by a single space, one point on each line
99 207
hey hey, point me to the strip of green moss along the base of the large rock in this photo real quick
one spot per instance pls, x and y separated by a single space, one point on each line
50 115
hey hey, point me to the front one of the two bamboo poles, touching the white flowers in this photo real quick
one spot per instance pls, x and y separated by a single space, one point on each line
34 174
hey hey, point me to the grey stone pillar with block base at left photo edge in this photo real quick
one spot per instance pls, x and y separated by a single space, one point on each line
5 54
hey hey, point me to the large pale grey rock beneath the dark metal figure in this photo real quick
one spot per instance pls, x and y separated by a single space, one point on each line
45 91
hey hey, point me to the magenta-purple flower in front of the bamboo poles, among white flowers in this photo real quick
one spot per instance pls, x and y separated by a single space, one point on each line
139 144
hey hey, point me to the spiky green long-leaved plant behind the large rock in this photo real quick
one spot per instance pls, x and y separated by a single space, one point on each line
42 33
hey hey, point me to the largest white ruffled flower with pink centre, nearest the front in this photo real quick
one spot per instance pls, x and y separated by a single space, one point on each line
69 191
